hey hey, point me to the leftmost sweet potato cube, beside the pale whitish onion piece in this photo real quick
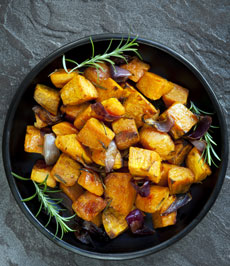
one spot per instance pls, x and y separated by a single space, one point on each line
33 140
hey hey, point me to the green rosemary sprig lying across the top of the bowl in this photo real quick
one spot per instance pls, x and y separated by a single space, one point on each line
128 46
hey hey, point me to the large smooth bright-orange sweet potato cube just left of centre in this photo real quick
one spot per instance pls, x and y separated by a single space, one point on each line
95 135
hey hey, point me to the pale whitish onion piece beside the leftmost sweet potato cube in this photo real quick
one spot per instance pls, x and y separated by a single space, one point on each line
50 151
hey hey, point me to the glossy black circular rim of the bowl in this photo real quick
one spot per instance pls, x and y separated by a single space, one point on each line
6 142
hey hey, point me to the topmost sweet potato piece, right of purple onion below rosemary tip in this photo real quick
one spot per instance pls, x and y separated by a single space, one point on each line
137 68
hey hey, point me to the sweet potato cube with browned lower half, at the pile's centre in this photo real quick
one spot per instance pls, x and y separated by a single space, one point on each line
126 133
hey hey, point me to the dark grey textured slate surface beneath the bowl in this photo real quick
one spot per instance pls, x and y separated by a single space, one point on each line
30 30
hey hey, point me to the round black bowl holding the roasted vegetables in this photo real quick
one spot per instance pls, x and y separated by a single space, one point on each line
164 62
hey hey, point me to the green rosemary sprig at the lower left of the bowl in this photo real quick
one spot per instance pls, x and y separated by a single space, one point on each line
49 205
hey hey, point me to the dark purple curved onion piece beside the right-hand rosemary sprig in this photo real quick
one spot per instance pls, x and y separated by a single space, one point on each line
202 127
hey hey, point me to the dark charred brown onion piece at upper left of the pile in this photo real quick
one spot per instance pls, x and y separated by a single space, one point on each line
45 116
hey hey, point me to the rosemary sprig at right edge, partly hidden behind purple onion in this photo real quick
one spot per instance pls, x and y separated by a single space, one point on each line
209 151
